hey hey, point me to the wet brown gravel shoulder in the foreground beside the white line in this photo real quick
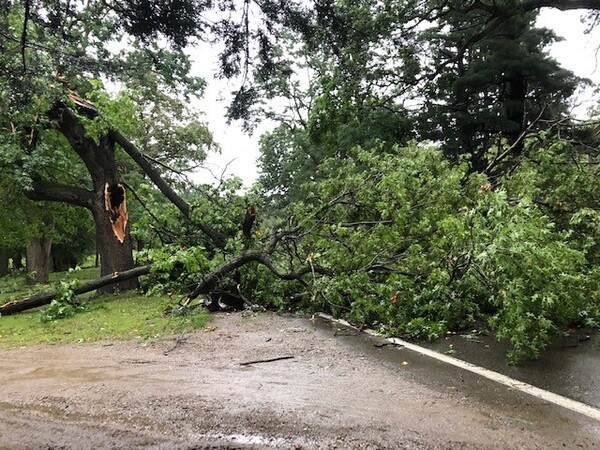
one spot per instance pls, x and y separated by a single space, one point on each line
338 391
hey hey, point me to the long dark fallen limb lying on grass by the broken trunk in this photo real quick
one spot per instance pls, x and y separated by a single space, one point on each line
42 299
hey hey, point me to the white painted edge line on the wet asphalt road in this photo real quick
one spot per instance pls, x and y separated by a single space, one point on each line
573 405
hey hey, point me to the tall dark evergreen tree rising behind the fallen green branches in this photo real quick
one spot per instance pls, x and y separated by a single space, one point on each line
493 90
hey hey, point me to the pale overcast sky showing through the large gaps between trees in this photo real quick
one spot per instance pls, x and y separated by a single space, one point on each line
579 53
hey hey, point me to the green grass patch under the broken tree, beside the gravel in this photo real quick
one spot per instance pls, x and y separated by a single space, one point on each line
124 316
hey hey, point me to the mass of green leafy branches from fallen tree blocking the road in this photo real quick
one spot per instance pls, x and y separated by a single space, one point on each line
418 246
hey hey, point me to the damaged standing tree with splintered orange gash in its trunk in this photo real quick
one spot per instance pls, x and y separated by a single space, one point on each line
51 54
